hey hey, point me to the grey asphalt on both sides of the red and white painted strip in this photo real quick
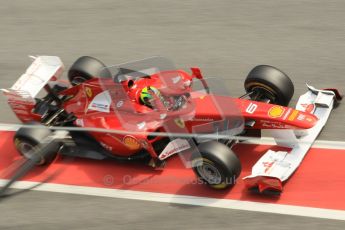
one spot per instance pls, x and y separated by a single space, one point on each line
224 38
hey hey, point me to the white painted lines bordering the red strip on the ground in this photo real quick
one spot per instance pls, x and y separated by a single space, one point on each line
193 200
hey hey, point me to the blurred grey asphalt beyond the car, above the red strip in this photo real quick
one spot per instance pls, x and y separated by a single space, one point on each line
225 38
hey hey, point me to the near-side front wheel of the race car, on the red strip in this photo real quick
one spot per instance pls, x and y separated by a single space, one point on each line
216 165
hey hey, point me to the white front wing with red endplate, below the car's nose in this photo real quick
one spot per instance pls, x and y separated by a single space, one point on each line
275 167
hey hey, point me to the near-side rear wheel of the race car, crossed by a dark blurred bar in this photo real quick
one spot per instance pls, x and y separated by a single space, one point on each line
27 141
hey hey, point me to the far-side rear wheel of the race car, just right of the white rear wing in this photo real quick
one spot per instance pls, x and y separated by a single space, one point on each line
86 68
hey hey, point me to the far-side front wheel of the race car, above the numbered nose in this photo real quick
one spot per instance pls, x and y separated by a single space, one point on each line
269 83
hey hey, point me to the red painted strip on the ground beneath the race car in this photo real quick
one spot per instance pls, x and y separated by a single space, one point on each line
319 182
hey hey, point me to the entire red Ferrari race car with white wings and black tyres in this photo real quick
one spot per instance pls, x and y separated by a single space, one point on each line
149 111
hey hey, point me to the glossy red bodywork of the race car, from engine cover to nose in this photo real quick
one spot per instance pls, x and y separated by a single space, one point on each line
201 108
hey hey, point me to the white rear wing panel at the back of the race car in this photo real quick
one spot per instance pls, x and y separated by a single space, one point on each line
39 73
